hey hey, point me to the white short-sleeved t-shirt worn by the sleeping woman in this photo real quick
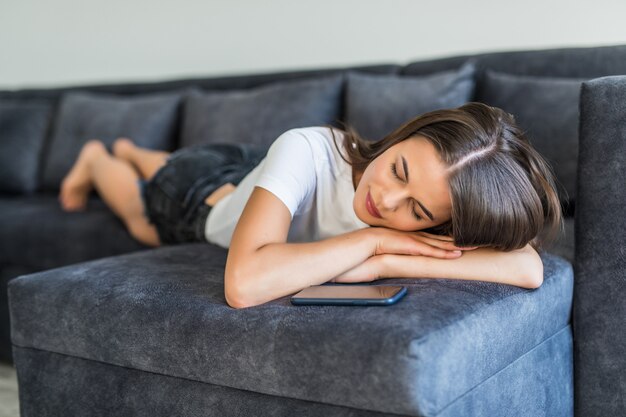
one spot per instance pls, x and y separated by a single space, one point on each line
304 170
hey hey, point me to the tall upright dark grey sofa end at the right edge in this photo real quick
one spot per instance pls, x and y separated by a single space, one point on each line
600 299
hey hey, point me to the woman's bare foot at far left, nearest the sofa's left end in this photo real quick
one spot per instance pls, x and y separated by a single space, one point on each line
77 184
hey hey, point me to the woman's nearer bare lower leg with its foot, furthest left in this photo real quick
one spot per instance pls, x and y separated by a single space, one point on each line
117 184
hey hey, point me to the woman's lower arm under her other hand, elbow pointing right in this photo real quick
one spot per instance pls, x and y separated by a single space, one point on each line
522 267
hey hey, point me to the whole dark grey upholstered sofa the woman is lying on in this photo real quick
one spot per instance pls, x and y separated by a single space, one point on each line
150 333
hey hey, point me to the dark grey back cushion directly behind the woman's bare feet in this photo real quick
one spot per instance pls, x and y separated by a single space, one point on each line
148 119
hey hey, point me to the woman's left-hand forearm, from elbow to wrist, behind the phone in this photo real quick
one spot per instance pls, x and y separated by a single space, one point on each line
279 269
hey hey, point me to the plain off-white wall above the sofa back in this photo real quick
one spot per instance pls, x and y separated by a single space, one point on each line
61 42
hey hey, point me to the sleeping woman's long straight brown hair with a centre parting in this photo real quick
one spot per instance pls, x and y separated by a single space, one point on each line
503 191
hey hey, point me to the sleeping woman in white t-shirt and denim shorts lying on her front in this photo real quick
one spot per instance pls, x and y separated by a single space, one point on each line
460 191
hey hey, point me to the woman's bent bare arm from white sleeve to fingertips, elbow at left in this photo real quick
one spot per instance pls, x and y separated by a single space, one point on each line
261 267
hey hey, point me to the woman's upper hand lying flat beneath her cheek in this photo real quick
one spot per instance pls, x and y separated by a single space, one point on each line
415 243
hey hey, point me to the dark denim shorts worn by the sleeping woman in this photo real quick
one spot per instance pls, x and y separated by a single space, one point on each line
174 197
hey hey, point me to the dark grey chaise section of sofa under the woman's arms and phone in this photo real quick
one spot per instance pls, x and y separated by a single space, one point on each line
449 348
